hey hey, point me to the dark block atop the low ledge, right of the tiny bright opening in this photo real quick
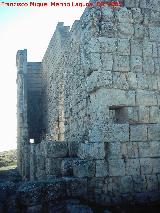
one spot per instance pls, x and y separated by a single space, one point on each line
55 149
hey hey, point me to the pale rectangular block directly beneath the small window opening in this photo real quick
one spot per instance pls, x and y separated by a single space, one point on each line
116 132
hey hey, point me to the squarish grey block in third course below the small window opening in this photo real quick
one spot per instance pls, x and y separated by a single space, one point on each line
116 167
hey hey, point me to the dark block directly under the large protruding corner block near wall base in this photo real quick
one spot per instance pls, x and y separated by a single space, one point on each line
83 168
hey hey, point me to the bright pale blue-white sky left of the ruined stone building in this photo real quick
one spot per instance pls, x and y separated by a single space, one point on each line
23 28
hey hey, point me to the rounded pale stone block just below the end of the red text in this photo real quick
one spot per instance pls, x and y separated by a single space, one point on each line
123 15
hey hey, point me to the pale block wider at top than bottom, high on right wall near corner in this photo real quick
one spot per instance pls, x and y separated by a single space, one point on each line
107 45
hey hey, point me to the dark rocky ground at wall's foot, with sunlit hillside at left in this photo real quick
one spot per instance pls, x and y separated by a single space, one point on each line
40 197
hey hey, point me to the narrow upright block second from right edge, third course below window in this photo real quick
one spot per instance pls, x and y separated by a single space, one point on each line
146 166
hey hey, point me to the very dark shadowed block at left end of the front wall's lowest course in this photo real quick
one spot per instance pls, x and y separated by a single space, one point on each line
76 187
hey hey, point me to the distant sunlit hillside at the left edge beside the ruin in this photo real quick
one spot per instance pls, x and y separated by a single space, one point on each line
8 158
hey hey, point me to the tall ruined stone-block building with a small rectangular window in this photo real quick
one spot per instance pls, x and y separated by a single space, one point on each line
92 106
